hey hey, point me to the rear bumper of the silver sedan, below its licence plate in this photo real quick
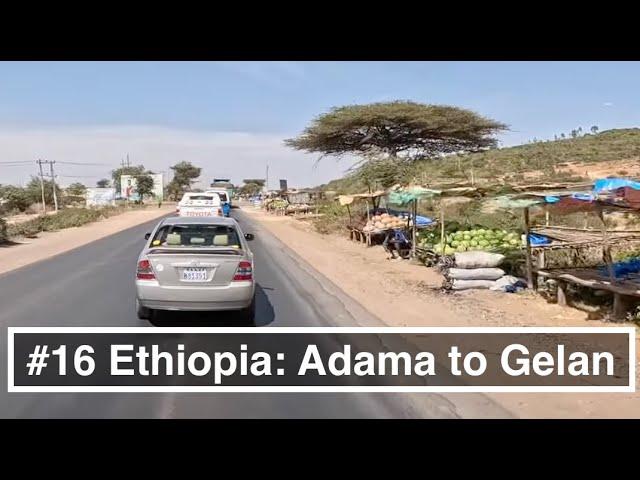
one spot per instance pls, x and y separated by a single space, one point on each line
236 296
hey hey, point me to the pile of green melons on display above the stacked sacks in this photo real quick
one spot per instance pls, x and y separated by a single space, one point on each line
481 239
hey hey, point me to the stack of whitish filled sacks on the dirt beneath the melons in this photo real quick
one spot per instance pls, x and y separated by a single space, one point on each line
479 270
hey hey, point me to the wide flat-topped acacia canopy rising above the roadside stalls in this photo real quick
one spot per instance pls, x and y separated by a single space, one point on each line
401 128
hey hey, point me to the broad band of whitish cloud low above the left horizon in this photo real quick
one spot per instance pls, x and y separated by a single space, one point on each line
237 155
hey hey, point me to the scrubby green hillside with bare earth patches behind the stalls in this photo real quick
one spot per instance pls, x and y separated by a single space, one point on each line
611 152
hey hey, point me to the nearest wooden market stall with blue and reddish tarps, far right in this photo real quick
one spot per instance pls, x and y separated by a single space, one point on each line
606 196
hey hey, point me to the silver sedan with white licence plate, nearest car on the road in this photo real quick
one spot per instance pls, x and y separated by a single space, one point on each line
196 263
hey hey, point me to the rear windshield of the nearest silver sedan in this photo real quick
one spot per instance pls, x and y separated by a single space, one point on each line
196 235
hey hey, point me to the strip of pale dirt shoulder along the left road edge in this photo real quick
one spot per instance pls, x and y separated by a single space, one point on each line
23 252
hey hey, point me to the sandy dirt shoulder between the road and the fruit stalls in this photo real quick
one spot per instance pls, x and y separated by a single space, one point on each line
402 294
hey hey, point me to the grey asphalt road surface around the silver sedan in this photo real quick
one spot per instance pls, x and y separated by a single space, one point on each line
93 286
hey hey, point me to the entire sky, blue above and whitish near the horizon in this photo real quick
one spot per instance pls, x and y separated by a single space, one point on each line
230 117
